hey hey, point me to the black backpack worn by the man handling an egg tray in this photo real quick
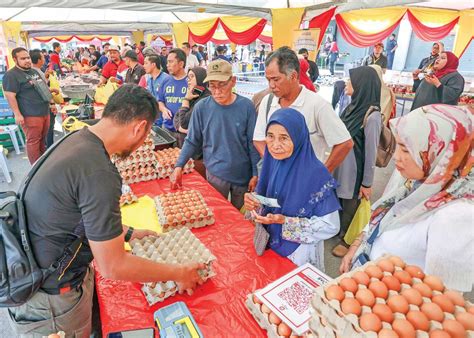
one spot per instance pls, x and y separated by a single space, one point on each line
21 276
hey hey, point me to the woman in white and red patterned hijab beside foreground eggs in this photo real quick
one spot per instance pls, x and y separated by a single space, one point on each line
425 216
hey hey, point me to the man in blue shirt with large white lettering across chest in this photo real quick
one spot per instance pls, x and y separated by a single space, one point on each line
173 90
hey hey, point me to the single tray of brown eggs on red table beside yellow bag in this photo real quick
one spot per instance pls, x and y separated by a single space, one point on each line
183 209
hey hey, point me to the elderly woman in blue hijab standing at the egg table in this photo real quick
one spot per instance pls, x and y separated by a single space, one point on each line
303 187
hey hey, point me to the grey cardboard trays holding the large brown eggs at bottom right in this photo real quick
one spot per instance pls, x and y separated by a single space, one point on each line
328 320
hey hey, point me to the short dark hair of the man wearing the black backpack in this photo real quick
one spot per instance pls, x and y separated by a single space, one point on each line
131 102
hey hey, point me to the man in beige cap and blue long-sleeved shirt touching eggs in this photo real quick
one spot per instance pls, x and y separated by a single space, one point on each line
221 127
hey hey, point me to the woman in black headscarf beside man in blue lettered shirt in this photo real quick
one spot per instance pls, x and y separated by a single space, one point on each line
197 90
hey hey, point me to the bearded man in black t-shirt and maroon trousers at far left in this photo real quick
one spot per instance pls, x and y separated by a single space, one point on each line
30 109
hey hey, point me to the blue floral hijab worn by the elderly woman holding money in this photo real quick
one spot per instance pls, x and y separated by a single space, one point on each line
301 183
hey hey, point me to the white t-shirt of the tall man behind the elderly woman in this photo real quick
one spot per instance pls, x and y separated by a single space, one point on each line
325 128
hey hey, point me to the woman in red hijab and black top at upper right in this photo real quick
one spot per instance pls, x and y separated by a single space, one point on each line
445 85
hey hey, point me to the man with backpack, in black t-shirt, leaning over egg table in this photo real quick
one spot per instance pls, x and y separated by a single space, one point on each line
75 193
